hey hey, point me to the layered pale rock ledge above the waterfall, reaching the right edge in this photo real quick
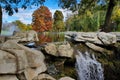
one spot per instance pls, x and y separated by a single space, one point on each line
98 41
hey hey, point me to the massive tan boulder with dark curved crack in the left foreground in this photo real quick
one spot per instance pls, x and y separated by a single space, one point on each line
26 60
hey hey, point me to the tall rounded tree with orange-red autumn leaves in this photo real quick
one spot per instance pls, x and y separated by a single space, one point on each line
42 19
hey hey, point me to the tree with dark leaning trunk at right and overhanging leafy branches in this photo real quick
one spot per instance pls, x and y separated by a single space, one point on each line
83 5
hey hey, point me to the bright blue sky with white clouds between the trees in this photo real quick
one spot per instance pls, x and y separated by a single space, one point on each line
26 15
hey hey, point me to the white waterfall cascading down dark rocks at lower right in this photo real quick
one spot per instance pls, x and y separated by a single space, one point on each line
88 67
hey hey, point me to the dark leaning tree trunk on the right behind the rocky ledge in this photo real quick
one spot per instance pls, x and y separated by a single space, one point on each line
106 26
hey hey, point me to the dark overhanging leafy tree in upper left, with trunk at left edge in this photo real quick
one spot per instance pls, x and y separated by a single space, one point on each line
11 6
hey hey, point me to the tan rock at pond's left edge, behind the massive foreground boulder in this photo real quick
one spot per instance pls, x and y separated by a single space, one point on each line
25 36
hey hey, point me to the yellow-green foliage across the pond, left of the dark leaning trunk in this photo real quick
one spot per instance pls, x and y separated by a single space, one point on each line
86 22
